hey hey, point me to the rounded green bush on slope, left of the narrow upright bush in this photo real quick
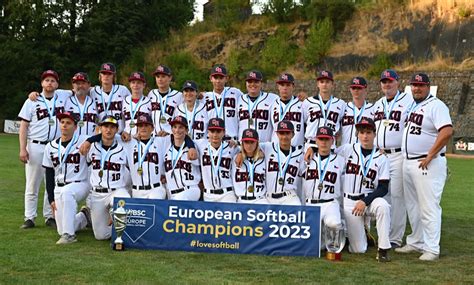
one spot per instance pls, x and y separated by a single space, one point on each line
279 52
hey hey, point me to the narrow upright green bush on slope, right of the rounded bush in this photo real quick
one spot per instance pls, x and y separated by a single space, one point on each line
318 43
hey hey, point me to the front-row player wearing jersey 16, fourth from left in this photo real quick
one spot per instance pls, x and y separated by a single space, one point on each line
182 174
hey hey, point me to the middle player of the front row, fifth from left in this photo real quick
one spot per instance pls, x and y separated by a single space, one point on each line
216 163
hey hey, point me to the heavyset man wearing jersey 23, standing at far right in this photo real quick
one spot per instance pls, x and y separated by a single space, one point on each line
426 134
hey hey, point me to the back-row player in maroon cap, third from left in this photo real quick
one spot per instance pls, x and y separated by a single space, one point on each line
109 96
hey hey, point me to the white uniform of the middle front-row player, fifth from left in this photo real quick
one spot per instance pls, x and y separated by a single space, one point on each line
217 166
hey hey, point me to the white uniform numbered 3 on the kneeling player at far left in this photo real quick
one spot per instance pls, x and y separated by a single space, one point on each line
71 182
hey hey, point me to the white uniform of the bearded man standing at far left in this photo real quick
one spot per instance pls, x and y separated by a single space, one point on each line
43 128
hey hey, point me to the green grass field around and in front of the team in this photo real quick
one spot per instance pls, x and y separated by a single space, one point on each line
31 256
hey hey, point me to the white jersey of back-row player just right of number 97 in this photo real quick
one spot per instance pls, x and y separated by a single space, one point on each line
291 111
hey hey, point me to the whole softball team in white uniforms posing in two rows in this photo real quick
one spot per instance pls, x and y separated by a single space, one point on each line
356 160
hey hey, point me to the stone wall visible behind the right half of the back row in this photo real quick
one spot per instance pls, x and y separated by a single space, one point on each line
456 89
